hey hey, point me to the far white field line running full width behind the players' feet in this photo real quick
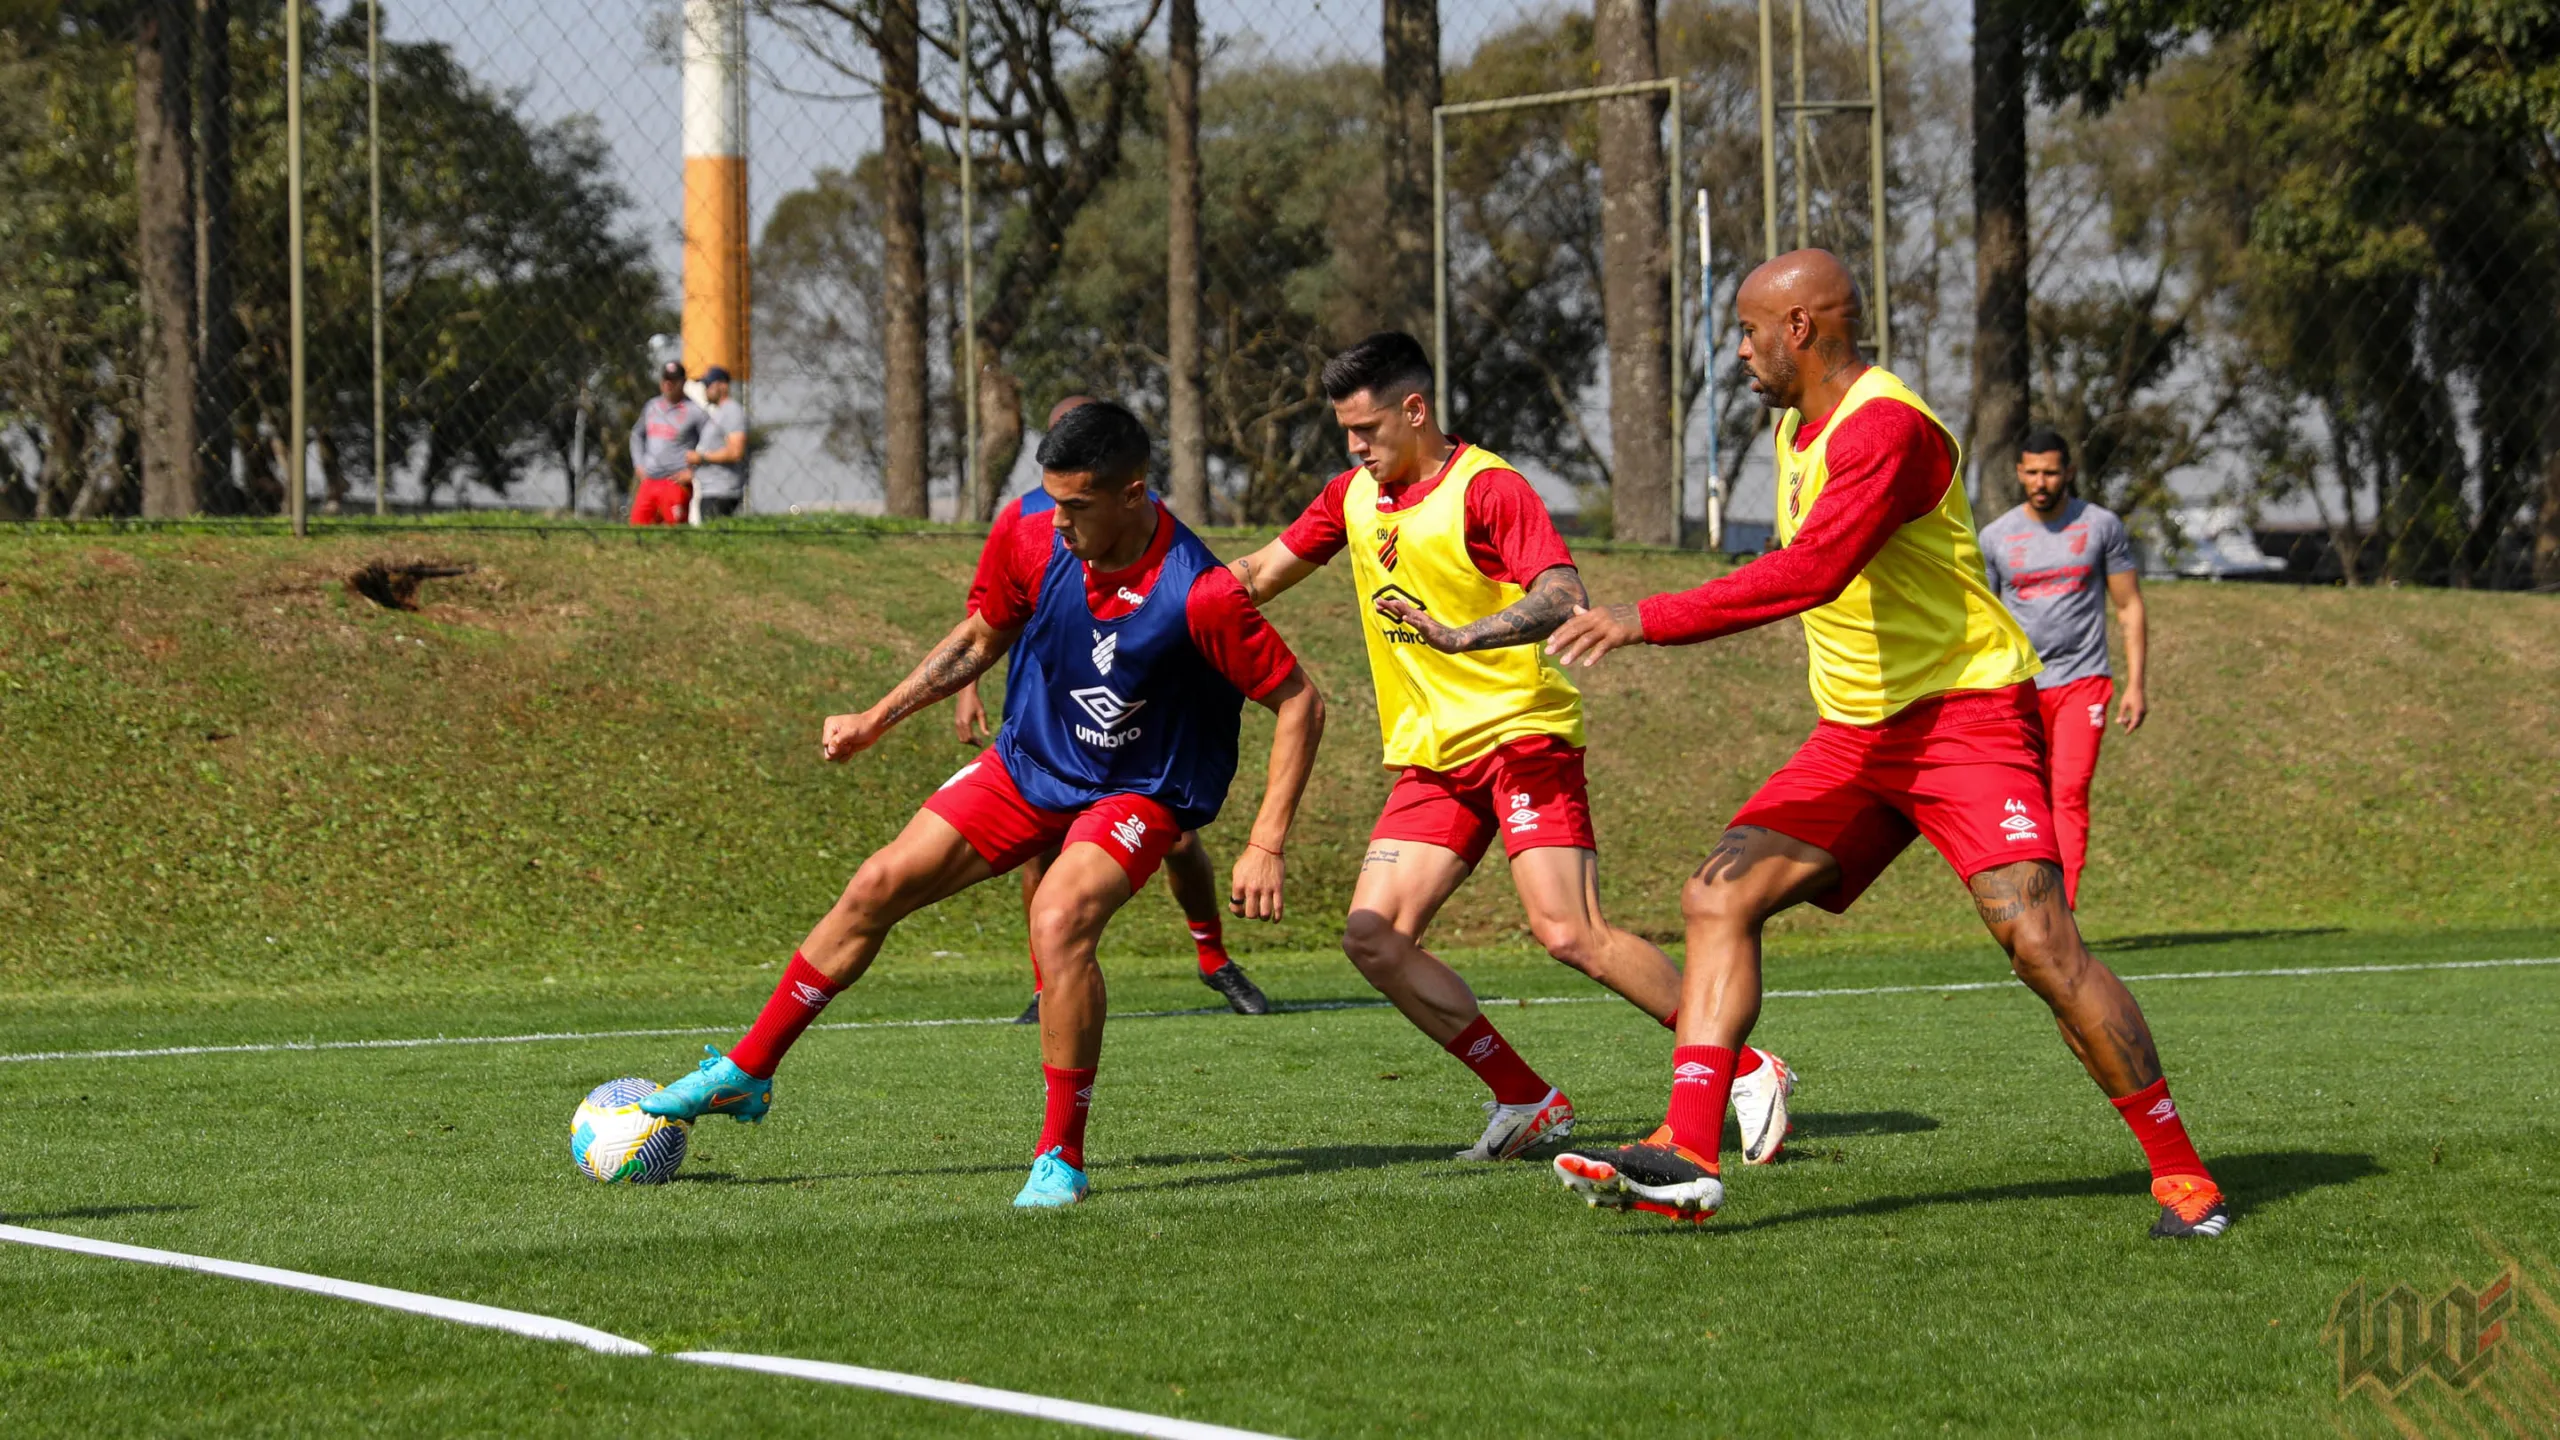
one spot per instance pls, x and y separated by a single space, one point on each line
544 1036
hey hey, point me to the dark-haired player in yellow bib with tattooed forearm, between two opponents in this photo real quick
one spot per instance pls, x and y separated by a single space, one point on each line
1460 575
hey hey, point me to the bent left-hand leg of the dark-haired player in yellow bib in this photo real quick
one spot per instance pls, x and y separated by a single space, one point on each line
1402 888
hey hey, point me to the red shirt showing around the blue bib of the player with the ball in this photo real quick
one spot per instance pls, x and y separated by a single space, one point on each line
1225 626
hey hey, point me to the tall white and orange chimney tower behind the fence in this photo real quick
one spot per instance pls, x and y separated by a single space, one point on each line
716 188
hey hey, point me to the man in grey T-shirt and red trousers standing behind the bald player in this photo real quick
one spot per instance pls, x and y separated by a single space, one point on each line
2054 565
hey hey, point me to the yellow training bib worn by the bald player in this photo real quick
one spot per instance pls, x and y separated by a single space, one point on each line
1921 619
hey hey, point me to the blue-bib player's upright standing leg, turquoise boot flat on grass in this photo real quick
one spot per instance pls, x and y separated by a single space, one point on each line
1076 898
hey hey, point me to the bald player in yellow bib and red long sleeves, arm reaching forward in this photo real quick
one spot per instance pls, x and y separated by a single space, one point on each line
1929 726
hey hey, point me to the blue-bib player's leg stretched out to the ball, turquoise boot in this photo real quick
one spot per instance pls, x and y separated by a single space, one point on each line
920 867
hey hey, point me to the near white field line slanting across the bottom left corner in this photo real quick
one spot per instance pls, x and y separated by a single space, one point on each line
547 1329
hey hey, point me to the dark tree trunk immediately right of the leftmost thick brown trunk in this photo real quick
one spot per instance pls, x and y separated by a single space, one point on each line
216 250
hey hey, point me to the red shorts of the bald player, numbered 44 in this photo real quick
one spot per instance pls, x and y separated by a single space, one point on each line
1967 770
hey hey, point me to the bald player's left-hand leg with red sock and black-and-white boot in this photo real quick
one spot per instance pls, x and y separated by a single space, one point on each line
1750 878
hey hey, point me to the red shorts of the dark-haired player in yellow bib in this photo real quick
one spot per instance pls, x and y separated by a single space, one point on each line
1530 793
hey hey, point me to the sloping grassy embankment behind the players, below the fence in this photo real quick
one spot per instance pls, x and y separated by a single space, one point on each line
588 778
